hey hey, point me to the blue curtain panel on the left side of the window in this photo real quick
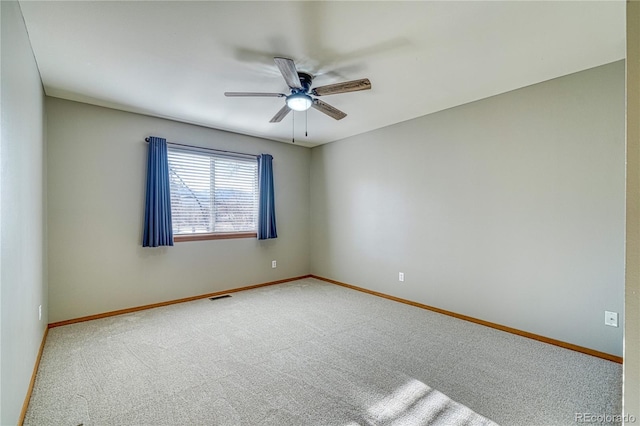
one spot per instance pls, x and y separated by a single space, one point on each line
157 211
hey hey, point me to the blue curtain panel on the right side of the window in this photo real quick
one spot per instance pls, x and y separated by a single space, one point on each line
267 205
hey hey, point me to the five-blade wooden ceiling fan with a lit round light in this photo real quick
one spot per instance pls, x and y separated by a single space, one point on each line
300 98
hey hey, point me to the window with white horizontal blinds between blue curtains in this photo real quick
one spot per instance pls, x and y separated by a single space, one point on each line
212 195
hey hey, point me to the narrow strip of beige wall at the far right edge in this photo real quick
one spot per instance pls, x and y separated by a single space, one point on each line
631 393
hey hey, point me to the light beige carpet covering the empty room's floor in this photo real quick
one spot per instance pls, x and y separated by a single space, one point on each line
310 353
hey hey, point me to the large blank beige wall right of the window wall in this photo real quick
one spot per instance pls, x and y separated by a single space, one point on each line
509 209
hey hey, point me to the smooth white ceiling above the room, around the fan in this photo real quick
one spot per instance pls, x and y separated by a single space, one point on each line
176 59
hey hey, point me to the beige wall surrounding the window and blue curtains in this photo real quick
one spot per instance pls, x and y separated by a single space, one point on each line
96 181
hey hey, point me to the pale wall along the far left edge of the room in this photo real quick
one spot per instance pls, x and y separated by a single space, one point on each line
22 212
